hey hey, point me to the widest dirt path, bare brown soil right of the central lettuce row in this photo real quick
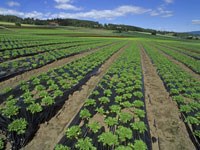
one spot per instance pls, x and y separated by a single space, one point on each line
163 115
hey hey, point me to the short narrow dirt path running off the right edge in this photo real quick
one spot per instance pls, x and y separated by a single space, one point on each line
184 67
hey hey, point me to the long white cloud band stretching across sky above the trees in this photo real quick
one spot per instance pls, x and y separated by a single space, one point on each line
92 14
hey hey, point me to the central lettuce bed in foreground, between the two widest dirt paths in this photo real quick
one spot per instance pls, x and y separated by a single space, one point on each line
113 116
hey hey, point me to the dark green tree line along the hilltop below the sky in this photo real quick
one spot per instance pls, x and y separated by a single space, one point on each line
72 22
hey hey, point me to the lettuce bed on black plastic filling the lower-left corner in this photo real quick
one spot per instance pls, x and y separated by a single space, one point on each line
31 103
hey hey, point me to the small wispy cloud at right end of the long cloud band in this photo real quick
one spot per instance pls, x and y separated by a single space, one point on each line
160 11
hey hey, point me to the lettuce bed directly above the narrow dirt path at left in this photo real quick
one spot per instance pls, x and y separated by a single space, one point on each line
17 66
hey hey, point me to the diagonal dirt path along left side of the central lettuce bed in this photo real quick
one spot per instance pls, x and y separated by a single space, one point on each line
50 133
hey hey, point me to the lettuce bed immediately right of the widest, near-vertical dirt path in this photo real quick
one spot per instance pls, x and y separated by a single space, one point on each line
183 88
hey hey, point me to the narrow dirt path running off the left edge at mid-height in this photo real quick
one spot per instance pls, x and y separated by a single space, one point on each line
12 82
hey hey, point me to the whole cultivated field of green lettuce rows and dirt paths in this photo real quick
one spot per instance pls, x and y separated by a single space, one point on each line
72 88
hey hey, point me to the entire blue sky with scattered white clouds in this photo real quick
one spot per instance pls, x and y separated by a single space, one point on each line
171 15
